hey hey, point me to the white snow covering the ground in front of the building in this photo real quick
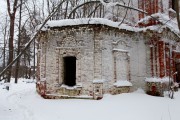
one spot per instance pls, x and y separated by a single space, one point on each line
22 102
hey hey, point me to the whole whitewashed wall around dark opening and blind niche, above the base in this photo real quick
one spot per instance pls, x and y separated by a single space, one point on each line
93 47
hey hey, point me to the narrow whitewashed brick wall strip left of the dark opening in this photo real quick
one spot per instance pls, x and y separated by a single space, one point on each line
51 73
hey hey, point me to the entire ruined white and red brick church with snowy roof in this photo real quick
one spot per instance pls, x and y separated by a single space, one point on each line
88 57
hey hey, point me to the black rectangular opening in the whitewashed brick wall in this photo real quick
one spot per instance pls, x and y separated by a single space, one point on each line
70 71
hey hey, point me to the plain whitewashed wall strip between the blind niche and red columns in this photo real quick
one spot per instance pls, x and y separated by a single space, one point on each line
138 62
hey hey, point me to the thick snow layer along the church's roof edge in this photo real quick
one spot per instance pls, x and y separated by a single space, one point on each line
164 19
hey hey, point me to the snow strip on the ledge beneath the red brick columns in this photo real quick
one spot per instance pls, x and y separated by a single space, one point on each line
154 79
